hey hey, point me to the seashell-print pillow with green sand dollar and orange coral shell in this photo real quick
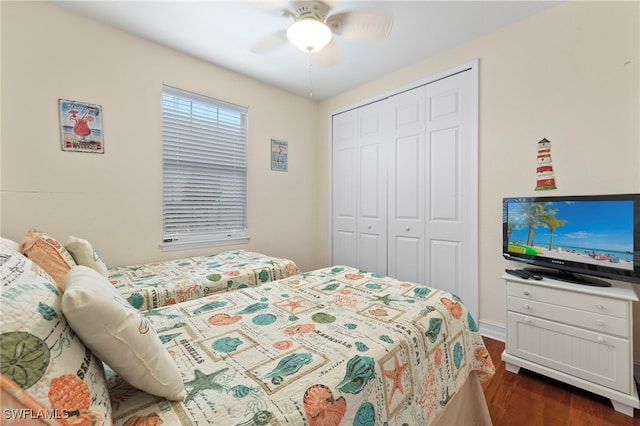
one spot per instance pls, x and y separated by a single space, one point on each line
45 365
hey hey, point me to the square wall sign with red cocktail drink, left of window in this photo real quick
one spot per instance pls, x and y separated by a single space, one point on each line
81 126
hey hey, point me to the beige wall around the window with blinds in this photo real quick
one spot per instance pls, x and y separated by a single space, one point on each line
114 200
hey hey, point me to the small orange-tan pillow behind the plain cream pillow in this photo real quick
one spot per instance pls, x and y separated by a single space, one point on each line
49 254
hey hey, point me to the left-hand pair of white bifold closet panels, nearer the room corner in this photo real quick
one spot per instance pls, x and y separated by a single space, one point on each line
359 187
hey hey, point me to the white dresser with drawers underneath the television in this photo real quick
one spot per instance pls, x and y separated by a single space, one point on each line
577 334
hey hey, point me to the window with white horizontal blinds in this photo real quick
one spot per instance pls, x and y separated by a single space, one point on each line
204 171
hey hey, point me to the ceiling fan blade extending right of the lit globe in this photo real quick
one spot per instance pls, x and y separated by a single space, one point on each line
361 24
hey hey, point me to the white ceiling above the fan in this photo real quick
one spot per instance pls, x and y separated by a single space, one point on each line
228 33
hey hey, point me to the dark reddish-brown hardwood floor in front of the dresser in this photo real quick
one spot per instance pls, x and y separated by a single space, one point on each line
530 399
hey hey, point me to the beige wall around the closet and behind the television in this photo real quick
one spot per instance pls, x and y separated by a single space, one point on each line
569 74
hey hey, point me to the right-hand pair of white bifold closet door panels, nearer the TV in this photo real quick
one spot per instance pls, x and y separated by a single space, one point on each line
433 186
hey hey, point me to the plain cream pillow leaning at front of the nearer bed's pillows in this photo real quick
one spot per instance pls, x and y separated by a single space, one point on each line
119 334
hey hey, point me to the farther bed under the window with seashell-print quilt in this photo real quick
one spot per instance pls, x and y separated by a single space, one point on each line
158 284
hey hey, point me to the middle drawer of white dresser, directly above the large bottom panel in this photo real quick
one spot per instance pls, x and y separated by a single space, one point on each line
579 318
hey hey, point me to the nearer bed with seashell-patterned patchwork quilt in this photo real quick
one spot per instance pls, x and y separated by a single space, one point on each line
332 346
